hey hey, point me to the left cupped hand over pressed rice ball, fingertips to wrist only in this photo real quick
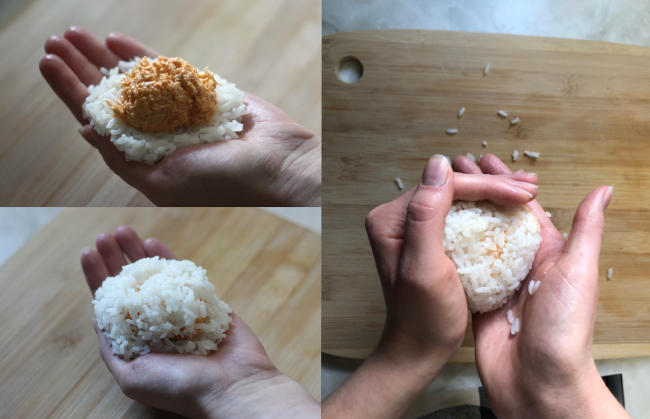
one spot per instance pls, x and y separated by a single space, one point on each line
426 304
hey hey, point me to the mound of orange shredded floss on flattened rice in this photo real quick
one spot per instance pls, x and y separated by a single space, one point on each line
165 94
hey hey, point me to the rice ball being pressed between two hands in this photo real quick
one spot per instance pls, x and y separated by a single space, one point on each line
493 248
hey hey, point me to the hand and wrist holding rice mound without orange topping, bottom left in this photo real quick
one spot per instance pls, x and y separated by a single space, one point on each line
238 379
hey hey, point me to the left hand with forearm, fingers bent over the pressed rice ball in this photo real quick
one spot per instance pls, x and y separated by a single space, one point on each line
426 304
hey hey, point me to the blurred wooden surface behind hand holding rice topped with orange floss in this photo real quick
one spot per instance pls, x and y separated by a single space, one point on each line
269 48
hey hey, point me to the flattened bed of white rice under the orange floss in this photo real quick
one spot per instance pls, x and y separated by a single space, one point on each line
152 146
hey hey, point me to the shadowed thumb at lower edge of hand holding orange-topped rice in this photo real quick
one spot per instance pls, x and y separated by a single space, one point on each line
133 173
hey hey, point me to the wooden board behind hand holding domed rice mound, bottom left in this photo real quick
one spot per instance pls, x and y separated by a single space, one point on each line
266 268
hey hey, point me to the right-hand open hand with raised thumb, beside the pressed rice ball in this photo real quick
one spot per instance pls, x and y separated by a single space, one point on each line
547 370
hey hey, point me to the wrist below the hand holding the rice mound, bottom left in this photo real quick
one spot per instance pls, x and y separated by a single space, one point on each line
266 393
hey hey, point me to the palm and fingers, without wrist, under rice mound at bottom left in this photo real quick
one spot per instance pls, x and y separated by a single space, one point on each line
175 382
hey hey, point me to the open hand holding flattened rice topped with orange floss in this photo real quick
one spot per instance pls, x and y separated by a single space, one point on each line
275 162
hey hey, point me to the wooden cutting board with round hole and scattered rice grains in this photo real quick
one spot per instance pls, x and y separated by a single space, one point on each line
585 106
